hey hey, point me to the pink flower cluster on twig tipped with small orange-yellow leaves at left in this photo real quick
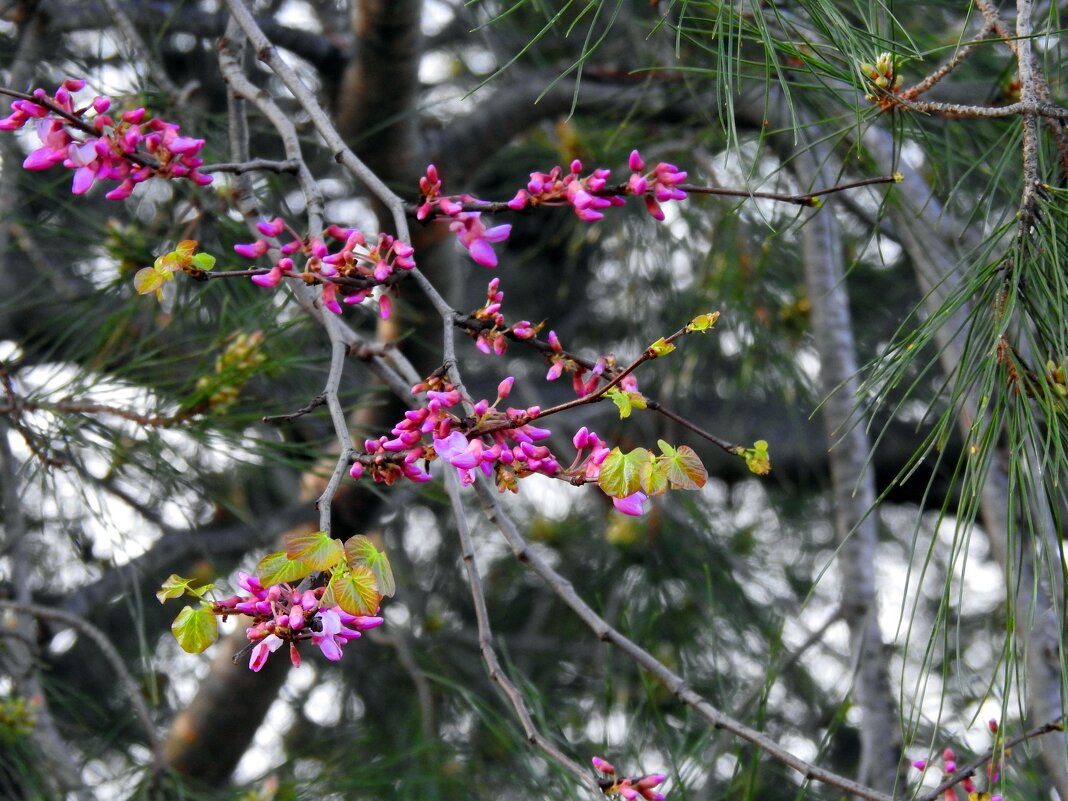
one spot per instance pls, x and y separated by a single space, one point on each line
356 261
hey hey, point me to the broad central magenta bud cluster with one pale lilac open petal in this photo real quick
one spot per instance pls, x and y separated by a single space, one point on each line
500 445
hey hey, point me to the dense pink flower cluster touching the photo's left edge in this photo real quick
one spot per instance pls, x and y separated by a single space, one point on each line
131 150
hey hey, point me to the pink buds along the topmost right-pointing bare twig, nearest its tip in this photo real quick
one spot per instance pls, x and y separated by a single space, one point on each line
589 196
